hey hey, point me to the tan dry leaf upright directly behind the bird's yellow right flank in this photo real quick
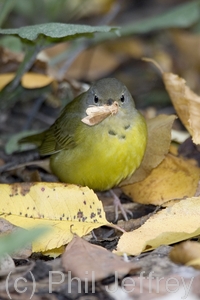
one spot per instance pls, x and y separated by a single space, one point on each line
158 143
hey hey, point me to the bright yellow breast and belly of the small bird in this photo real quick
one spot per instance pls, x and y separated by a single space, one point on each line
105 154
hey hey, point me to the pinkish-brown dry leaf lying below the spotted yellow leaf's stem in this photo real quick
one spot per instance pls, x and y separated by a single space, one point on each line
92 262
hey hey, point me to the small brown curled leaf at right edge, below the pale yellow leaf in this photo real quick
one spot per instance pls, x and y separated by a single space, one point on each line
187 253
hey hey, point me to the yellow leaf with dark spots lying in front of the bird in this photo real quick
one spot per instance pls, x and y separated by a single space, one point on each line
67 209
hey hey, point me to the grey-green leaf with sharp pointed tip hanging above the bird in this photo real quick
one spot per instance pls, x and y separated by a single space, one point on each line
55 31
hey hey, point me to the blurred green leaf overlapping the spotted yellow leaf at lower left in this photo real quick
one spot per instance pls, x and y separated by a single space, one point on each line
19 239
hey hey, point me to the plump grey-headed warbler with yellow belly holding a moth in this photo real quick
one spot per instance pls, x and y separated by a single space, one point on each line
98 155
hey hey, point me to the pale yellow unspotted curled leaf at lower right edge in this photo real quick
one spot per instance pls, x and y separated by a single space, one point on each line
169 226
